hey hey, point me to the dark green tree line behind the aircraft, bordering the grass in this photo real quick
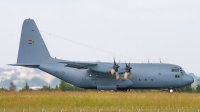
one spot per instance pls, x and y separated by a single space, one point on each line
64 86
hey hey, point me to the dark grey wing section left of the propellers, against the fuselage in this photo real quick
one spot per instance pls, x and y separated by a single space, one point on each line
80 65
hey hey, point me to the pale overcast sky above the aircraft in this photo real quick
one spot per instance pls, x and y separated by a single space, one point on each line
140 29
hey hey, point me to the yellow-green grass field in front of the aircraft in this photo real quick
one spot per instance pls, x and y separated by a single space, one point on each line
99 101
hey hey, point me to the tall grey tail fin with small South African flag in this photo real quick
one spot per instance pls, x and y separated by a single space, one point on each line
32 49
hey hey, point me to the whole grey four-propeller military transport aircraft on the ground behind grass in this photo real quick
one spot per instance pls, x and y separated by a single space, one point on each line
33 53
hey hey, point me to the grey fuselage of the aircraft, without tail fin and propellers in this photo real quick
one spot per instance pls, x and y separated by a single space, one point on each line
146 76
